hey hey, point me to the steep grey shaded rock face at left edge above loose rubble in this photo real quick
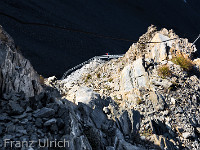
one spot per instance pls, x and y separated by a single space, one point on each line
16 72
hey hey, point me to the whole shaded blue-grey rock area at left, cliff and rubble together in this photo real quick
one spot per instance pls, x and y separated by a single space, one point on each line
34 116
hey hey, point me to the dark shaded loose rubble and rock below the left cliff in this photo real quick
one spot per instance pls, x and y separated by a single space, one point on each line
80 125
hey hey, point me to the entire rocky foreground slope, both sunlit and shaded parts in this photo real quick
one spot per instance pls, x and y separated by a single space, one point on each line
148 99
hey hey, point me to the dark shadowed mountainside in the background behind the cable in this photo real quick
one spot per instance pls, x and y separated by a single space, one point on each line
124 19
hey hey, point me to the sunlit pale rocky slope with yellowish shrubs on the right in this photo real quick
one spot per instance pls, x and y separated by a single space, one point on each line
158 79
